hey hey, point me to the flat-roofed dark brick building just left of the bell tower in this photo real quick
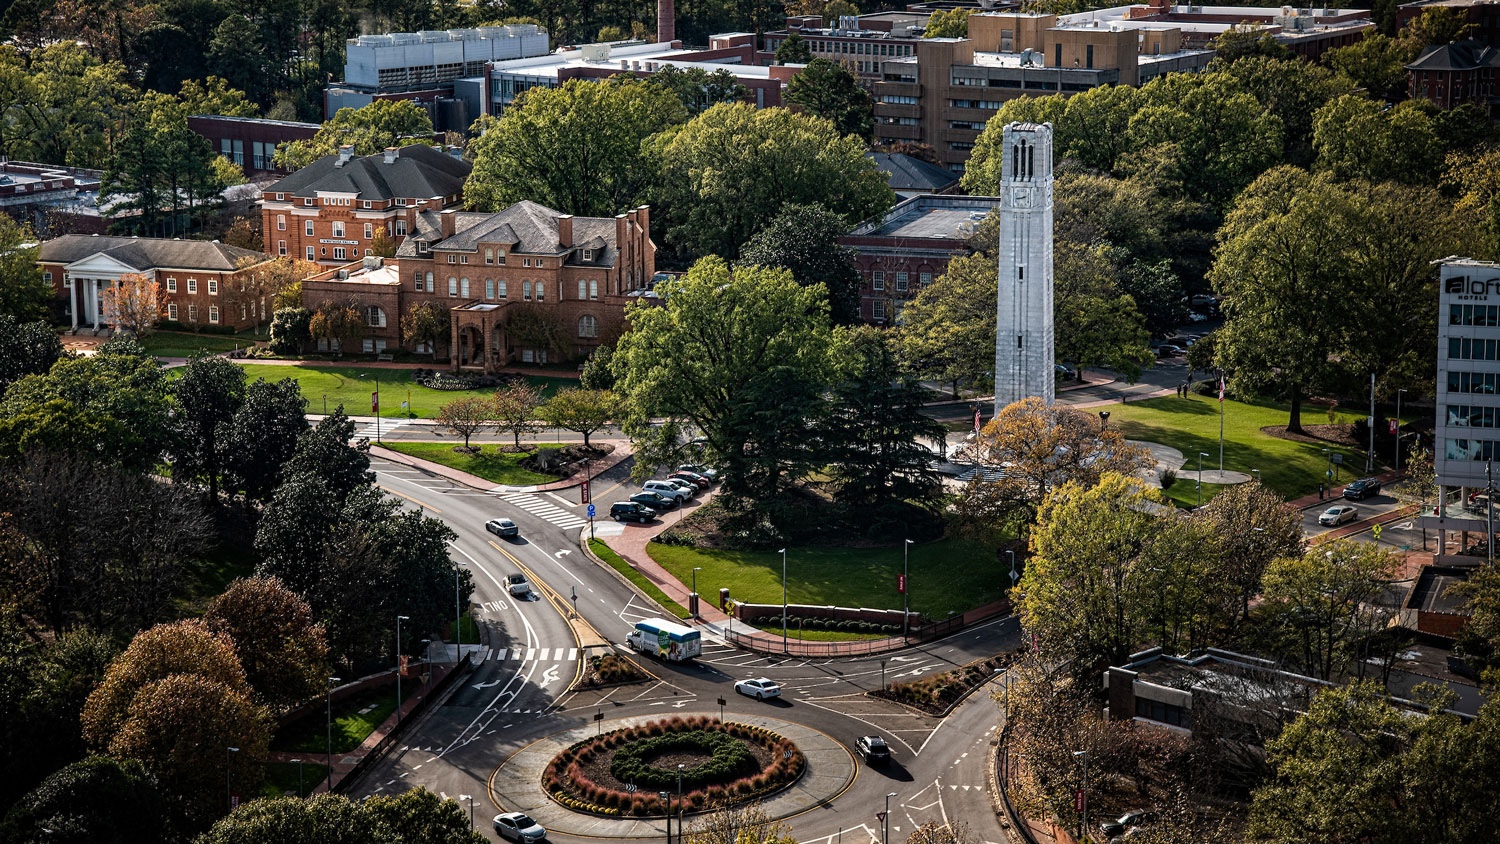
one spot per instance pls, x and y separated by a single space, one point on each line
902 253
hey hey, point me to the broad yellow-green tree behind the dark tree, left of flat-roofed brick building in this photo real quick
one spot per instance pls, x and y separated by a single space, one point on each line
727 173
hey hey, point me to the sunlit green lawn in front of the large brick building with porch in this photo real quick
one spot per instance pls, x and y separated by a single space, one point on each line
326 388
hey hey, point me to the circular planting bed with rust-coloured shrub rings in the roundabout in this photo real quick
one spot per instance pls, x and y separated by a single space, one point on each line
724 764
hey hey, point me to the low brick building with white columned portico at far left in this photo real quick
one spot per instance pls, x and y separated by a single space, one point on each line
196 277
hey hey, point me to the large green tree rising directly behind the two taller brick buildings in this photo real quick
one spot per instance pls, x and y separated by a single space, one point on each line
575 149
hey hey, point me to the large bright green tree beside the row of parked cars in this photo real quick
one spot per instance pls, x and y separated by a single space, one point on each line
740 356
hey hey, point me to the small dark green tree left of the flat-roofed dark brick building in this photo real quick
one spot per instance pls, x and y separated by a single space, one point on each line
805 239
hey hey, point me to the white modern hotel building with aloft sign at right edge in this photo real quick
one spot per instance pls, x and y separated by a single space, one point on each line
1468 432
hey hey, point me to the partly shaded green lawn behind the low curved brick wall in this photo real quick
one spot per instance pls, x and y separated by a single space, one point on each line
949 576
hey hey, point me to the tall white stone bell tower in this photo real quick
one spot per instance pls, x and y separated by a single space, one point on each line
1024 356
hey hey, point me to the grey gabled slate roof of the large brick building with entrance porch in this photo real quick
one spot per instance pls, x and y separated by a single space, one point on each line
527 227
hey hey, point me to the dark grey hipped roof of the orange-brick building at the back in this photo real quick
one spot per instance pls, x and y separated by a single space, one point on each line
419 172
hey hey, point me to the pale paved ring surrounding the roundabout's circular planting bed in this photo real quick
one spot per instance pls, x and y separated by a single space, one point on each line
521 782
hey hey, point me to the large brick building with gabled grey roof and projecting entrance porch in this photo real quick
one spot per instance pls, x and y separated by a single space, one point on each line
523 286
